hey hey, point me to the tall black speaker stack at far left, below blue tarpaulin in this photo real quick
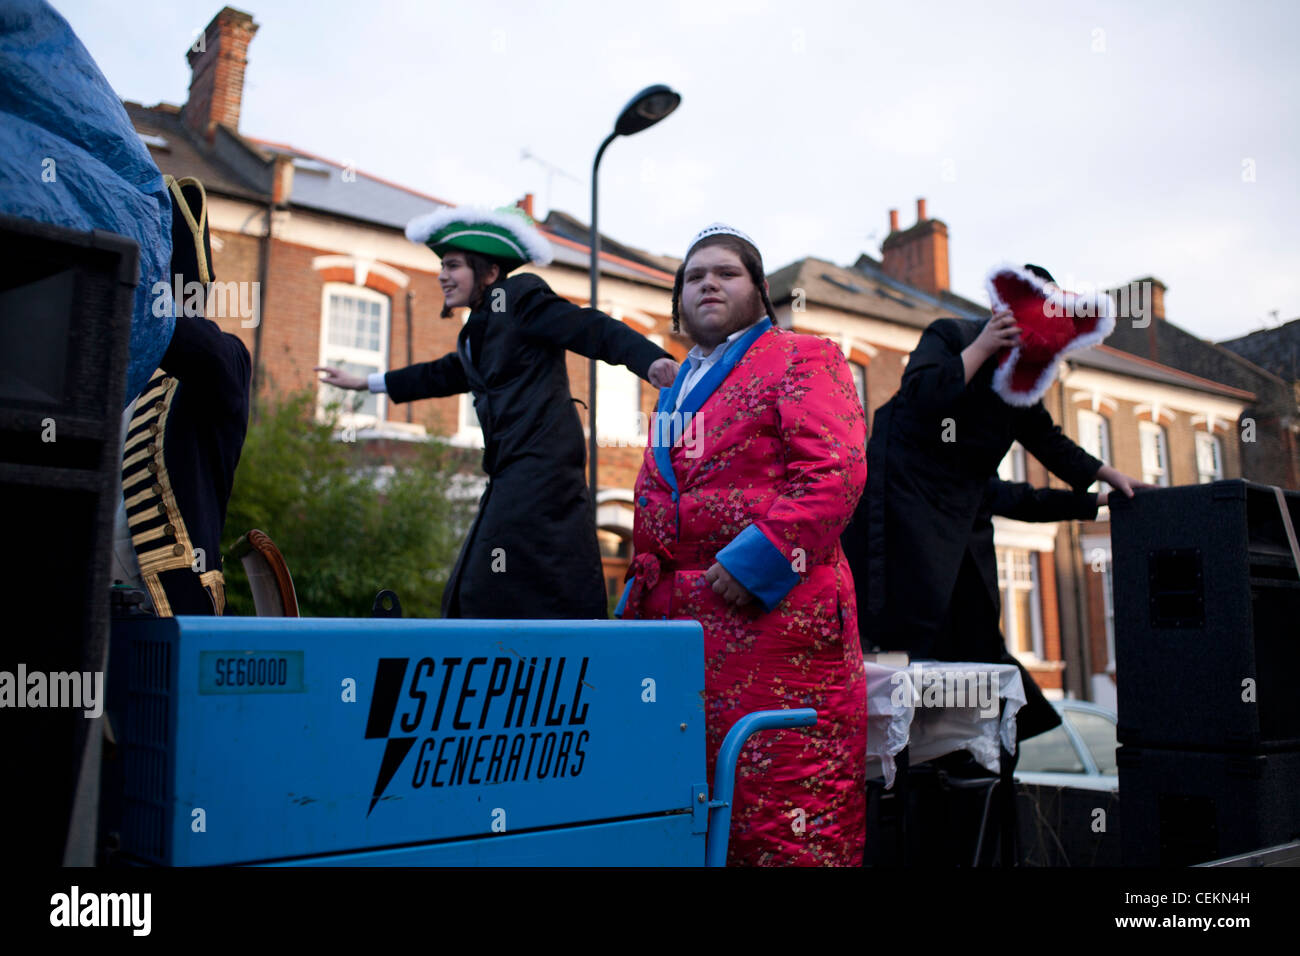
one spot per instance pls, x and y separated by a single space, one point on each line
66 315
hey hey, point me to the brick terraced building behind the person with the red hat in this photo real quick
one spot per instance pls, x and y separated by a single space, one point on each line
1141 417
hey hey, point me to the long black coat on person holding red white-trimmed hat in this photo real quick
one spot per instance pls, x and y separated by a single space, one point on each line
934 448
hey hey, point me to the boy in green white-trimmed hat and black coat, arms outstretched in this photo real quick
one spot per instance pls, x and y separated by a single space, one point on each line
532 551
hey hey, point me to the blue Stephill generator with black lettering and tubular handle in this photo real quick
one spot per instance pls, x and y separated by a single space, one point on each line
417 743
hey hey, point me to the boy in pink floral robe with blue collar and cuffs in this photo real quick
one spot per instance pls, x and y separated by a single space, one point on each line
755 468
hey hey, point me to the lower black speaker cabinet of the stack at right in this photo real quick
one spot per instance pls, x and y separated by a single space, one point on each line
1189 807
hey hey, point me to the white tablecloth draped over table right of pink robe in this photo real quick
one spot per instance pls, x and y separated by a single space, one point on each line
941 707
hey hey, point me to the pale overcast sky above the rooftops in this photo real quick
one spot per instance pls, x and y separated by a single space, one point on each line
1107 141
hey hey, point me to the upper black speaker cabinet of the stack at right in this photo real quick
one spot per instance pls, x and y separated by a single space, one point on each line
1207 602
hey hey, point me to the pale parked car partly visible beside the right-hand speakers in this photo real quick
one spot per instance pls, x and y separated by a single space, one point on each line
1080 754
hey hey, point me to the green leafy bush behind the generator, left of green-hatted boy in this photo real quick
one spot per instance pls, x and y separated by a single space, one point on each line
346 527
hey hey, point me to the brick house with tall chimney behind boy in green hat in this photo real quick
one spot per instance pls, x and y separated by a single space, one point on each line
318 253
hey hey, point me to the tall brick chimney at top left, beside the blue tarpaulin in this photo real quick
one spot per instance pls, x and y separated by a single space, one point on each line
218 63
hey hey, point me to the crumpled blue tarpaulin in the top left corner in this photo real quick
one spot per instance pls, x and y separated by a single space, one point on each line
70 157
